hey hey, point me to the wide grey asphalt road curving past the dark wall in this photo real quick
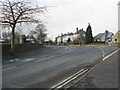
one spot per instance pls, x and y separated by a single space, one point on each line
48 66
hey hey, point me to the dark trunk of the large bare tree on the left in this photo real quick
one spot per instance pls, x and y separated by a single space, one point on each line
13 40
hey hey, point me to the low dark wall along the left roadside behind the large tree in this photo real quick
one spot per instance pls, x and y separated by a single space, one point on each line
20 48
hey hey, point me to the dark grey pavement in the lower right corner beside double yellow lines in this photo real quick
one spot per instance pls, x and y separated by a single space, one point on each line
105 75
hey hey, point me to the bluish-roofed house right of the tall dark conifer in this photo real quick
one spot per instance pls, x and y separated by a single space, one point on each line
103 37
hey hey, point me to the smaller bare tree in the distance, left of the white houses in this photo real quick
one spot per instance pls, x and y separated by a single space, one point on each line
41 29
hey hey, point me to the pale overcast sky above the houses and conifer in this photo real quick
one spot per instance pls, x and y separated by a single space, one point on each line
64 16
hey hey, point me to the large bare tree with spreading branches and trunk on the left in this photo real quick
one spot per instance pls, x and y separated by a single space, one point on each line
18 11
